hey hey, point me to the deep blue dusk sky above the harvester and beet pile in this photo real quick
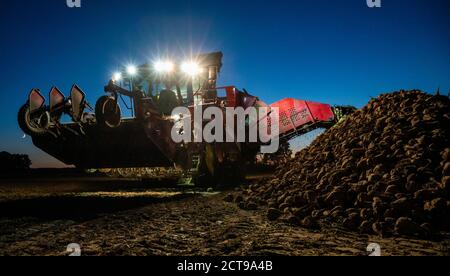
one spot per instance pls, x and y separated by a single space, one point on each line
337 52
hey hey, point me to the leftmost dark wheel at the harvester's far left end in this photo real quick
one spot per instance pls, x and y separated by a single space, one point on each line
32 127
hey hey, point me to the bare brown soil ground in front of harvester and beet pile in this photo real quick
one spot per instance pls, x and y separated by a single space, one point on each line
128 217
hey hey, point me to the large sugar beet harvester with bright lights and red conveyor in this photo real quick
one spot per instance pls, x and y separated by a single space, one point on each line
101 138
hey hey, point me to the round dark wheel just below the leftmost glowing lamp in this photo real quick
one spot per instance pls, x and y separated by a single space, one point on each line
107 112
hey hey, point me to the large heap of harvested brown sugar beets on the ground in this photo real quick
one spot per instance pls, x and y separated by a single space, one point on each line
383 170
